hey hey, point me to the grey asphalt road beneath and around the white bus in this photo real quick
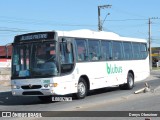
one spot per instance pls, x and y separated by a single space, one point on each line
108 99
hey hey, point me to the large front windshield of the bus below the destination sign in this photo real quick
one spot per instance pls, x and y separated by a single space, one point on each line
34 60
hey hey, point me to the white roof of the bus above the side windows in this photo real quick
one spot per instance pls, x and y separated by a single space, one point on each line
85 33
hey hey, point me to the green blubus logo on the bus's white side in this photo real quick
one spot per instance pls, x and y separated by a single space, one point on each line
113 69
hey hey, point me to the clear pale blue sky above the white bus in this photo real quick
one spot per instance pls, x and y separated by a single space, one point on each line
127 18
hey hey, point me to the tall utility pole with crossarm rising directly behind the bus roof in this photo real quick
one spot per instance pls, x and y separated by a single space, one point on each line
99 16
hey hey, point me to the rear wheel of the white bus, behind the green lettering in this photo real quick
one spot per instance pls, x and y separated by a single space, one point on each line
130 82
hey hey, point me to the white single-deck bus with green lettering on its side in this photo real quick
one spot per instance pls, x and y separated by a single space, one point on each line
46 64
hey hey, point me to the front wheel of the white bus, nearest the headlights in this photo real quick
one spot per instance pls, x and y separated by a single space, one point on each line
82 89
